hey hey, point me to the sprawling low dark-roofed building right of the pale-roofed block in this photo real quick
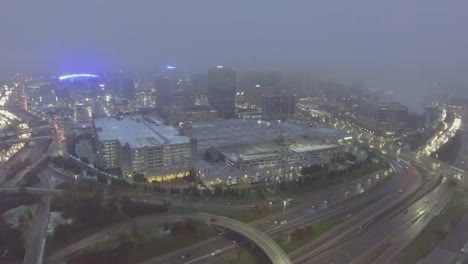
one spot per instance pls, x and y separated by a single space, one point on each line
249 144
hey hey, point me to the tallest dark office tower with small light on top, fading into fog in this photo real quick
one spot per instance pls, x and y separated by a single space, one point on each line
222 91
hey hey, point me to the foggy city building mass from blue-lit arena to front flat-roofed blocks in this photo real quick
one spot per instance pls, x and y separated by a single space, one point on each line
217 123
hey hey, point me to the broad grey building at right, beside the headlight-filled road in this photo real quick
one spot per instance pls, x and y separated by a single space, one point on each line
382 118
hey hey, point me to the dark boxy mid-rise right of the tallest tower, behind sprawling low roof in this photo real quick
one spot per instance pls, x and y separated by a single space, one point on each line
278 107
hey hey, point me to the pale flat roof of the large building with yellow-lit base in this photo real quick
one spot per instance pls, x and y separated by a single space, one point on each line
138 131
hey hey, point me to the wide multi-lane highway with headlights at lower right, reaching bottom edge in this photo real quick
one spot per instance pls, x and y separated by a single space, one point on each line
388 238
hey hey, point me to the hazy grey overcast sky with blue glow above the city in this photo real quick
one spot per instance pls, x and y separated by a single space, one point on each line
387 43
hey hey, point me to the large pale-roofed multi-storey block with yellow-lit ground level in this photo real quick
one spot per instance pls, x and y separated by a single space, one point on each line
140 144
